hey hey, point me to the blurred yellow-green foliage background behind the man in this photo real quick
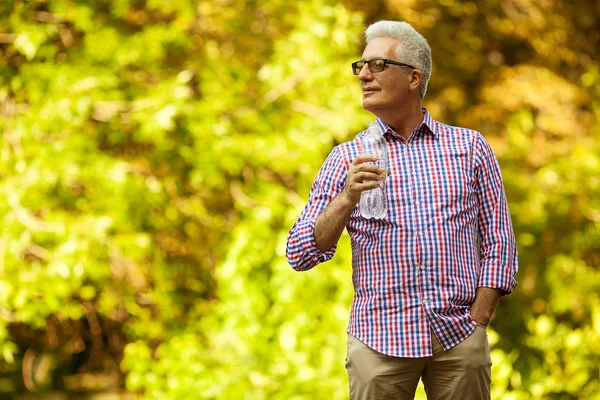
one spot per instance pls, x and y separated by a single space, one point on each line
155 153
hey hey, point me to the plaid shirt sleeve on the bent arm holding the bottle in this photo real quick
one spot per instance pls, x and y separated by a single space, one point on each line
302 252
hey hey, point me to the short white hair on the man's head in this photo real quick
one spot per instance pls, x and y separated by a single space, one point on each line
413 48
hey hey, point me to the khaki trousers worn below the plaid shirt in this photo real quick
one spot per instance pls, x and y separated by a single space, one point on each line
461 373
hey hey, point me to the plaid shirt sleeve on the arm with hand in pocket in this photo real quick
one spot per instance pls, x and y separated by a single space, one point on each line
499 258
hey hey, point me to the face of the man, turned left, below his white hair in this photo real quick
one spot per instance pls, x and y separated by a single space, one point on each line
388 89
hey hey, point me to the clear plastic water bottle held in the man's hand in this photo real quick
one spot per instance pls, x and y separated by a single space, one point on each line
373 203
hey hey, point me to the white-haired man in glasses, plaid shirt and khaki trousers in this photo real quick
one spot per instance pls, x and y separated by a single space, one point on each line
427 277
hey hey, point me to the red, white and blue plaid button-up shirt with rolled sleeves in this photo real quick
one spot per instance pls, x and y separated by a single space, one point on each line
448 231
